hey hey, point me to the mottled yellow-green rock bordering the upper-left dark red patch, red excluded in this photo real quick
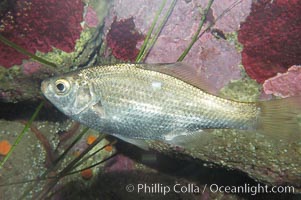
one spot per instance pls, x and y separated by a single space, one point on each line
22 82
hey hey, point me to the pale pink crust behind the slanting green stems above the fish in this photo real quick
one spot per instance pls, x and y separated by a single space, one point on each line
217 59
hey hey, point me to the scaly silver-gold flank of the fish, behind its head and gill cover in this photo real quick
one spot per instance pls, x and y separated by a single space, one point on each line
177 105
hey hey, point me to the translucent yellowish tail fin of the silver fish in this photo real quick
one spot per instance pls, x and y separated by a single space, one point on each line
281 118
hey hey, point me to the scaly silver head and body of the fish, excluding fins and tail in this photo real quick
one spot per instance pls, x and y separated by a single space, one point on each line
137 101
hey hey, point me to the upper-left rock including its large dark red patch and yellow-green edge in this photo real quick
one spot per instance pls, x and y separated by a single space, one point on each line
58 33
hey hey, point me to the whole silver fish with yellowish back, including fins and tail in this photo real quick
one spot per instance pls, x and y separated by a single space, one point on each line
166 102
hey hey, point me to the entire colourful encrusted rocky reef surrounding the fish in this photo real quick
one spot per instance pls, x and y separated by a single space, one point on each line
242 45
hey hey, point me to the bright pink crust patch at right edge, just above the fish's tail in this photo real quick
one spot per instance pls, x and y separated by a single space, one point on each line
285 84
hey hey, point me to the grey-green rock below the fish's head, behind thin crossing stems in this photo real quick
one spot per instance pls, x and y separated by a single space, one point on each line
42 155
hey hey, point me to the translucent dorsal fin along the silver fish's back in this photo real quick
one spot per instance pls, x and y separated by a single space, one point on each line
183 72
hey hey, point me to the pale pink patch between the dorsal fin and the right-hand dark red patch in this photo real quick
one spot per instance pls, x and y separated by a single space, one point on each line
213 61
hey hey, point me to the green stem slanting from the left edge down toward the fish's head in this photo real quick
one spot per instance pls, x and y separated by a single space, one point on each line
25 52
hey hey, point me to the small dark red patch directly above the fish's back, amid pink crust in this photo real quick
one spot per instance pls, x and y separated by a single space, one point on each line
122 38
